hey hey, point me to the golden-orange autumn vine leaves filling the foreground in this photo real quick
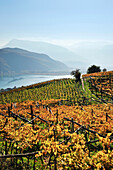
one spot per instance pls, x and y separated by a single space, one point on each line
73 152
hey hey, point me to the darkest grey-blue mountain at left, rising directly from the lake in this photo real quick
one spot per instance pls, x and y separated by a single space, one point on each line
23 61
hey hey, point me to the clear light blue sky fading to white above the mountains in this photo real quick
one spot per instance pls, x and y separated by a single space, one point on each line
60 21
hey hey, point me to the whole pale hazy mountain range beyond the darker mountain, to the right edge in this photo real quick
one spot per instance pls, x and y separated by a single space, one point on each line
79 55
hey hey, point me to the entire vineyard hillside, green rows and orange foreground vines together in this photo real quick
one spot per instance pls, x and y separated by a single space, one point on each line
58 125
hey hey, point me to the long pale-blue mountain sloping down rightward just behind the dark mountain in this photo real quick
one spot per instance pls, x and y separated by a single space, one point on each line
56 52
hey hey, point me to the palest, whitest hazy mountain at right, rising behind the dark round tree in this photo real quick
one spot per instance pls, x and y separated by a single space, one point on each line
98 52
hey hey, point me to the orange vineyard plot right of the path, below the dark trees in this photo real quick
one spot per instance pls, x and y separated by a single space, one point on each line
101 84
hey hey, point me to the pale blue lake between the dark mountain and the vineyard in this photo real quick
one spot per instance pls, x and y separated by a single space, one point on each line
24 80
